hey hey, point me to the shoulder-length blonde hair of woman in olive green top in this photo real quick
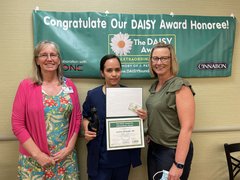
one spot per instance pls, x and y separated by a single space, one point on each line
174 64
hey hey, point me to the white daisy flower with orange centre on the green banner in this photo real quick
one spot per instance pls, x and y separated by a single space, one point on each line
121 44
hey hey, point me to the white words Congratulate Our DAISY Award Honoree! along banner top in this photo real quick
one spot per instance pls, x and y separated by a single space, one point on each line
135 24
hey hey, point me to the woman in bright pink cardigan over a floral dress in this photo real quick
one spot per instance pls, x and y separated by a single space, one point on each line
46 119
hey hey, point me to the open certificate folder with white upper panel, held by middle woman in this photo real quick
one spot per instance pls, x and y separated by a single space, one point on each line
124 127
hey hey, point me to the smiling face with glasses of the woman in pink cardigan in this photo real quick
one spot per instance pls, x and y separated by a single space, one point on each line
48 59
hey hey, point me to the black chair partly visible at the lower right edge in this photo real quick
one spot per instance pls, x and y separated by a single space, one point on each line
233 162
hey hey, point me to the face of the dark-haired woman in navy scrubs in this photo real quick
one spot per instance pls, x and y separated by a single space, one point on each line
112 72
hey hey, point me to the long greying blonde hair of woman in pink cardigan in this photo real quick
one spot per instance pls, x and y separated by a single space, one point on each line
37 74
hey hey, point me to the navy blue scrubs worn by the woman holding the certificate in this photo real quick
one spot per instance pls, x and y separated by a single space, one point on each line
103 164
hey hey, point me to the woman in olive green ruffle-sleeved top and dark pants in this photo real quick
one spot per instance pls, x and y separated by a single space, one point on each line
171 114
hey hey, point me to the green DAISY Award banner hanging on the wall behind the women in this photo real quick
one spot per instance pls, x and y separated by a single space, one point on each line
204 44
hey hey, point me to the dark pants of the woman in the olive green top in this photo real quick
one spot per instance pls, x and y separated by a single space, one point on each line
161 158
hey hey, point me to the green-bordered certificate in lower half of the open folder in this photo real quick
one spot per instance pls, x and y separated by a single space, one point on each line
125 133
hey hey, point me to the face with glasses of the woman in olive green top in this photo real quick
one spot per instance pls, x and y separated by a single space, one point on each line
161 62
